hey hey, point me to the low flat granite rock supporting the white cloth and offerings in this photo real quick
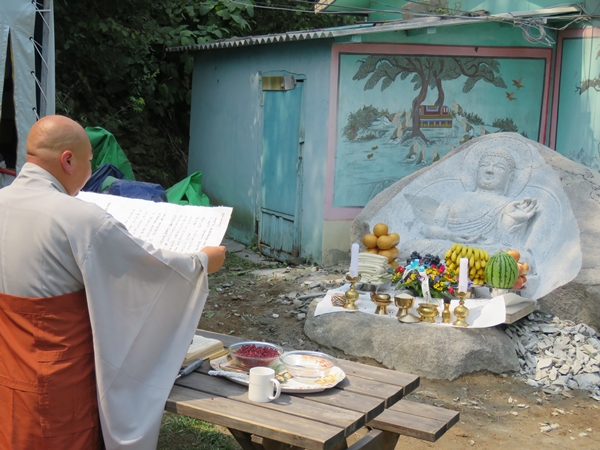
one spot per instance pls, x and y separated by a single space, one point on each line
429 351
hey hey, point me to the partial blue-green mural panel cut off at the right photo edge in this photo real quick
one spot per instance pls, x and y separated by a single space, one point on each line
577 97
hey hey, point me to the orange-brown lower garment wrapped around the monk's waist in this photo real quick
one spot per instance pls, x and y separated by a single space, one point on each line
48 394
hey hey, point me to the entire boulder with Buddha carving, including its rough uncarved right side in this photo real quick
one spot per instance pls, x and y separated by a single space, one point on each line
504 191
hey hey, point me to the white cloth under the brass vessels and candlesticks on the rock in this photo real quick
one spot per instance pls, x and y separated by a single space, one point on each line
483 313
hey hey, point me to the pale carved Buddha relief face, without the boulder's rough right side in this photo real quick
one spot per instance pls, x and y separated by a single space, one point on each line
496 193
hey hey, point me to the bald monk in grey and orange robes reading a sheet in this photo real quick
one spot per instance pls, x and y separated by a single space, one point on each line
94 323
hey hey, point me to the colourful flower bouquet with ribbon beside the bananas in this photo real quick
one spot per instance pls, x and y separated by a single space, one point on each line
425 277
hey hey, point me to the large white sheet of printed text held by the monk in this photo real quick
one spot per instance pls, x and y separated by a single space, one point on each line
180 228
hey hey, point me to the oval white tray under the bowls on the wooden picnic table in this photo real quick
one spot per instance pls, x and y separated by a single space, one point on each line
289 384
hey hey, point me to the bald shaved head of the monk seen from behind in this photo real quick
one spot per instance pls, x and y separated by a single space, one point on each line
62 147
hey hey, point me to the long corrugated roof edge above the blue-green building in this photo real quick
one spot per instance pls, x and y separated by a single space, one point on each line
377 27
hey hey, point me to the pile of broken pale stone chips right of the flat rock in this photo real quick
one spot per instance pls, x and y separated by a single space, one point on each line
557 355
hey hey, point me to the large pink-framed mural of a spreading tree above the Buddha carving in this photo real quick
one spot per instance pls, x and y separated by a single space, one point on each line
399 112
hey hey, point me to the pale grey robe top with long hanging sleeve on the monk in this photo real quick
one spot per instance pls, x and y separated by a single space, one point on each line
144 303
